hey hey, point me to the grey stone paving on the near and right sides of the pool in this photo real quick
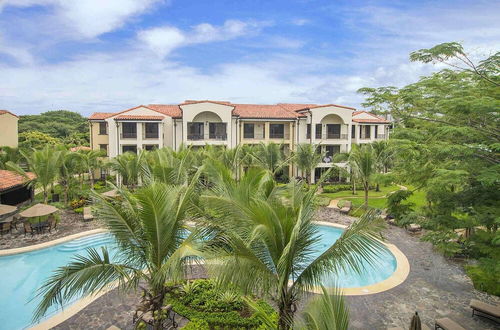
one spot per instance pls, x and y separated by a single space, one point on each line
436 287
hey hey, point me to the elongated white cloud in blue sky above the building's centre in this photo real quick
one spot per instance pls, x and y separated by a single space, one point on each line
162 40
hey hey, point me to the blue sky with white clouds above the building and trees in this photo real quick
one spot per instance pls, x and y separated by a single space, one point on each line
110 55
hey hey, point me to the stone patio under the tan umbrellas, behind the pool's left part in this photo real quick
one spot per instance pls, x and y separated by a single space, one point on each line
70 223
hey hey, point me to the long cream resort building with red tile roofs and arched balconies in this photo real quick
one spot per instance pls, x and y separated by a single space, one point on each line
334 128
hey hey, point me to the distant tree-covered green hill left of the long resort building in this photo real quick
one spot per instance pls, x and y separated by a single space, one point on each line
60 124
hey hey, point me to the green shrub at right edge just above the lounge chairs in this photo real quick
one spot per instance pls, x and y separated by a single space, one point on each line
484 276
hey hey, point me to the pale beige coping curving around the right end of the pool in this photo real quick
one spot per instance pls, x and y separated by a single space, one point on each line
398 276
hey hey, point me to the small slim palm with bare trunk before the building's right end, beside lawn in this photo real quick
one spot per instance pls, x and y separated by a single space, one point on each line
363 163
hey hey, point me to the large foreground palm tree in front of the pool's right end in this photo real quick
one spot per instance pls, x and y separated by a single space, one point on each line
264 239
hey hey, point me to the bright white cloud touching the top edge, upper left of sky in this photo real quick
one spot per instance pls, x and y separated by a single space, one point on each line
90 18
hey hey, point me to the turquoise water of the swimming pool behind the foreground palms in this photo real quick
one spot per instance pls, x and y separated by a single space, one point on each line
21 274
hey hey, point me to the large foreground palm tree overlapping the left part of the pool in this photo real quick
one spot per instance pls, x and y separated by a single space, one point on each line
149 227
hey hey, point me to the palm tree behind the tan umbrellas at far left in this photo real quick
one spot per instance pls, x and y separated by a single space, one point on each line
44 163
